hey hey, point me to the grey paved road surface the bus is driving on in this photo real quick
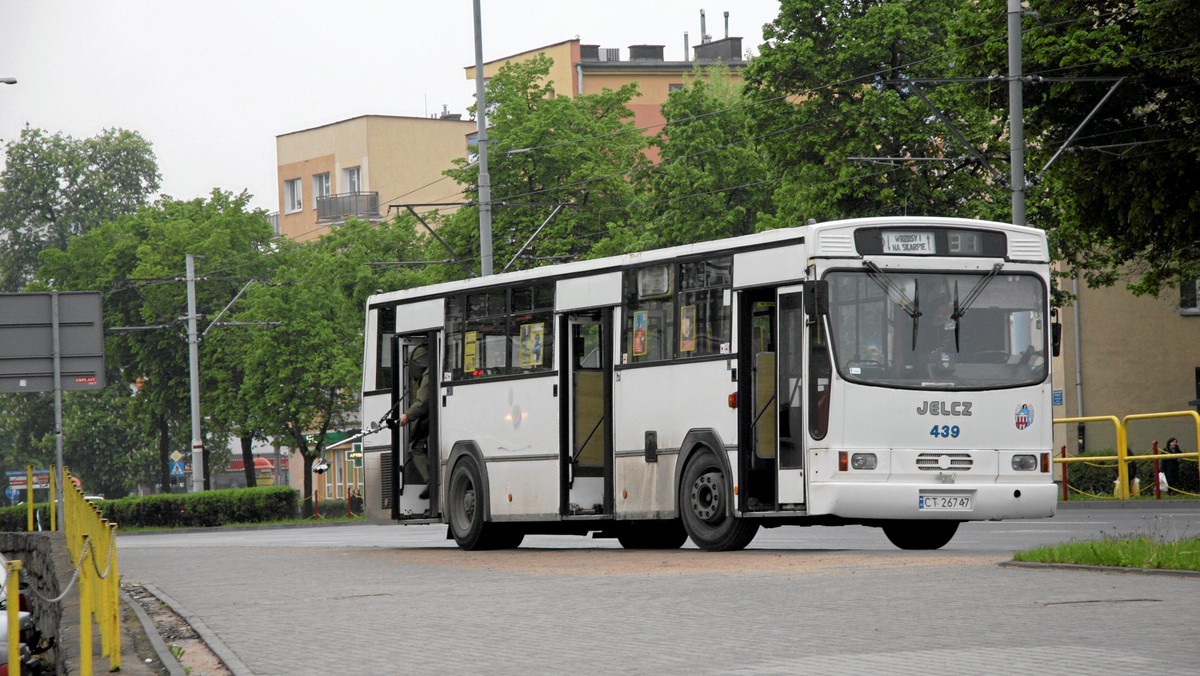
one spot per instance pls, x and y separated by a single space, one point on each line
380 600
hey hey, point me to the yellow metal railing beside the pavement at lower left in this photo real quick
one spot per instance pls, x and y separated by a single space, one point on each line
92 542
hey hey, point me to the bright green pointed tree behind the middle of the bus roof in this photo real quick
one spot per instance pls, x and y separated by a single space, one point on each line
712 181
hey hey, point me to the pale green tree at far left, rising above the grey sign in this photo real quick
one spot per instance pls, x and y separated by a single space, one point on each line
55 188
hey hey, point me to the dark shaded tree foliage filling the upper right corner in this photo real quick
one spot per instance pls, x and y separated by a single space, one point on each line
1132 171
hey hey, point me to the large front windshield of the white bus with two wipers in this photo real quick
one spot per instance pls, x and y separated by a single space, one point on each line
939 331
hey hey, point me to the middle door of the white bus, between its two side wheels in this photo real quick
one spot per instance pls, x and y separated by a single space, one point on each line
587 444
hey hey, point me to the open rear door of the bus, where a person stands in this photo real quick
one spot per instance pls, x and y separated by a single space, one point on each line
409 486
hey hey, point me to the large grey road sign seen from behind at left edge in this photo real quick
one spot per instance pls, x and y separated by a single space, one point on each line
27 342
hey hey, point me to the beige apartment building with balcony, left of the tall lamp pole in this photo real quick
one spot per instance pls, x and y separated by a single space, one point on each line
356 169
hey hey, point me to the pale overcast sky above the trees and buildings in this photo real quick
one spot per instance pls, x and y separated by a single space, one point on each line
211 85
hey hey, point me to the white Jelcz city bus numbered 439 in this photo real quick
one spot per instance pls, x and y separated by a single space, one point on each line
890 373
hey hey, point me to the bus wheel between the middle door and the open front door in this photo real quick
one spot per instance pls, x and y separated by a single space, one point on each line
704 507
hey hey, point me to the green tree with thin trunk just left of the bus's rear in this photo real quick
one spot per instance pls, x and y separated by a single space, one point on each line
302 380
